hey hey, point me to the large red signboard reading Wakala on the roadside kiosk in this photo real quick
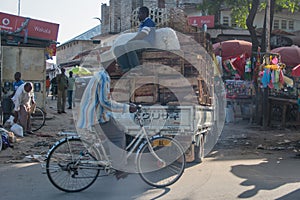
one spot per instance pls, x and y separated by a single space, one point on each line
35 28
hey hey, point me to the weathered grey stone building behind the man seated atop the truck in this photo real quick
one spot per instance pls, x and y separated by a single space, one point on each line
115 18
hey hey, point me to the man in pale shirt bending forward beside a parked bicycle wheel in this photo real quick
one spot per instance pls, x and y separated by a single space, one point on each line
23 100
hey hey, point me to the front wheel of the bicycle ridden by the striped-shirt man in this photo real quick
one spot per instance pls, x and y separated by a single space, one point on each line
164 172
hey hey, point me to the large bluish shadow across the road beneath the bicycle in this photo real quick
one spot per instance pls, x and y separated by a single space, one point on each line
28 179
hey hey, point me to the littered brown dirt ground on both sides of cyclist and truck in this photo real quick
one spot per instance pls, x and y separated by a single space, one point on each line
236 138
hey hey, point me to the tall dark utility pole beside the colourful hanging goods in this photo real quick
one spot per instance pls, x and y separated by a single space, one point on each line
266 90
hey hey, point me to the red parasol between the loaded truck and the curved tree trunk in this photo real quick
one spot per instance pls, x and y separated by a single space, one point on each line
233 48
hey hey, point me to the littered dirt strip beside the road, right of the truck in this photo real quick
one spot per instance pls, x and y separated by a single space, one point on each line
247 139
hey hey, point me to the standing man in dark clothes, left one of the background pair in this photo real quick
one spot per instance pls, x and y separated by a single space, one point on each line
62 86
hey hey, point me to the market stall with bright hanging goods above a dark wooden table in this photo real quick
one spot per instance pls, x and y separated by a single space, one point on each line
282 98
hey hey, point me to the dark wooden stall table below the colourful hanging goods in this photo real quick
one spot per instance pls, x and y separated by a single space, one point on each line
284 103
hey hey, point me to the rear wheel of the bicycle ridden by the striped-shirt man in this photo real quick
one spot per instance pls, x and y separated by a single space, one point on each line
67 166
